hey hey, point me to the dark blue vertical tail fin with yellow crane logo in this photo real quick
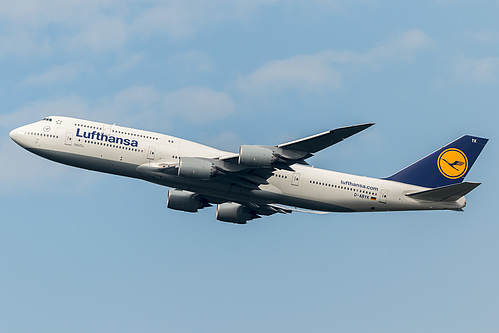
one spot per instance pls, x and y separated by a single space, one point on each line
446 166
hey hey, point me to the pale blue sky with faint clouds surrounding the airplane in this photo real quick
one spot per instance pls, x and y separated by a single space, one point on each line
82 251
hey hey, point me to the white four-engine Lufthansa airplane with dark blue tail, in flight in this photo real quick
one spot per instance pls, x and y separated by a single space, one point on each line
258 180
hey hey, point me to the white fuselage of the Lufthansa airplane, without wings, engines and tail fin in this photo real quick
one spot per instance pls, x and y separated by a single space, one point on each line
125 151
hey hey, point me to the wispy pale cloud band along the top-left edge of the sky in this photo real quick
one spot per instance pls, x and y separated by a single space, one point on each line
107 25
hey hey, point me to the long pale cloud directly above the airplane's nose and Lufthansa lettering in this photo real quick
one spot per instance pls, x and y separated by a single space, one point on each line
143 105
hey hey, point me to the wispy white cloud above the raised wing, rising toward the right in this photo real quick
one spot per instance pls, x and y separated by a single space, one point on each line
321 72
